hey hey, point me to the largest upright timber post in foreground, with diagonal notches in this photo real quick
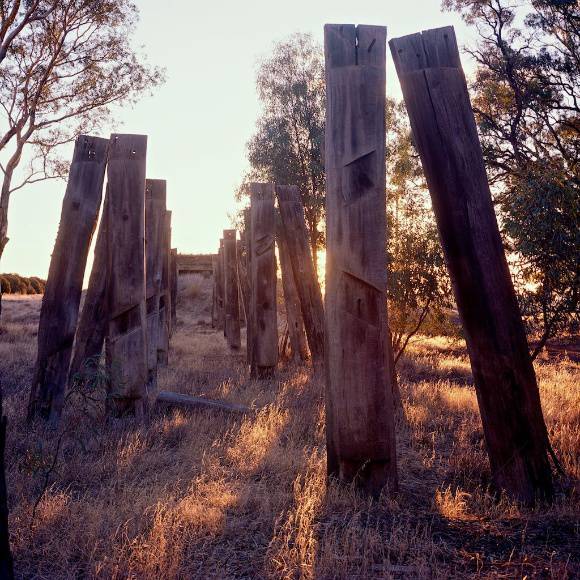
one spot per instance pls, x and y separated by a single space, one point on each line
359 408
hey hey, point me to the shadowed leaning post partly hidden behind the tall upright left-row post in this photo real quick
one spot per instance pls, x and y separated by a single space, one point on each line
93 321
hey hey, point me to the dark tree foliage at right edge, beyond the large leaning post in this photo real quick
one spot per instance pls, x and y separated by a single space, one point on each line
526 97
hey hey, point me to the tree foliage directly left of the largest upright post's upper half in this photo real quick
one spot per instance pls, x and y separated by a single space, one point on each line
287 147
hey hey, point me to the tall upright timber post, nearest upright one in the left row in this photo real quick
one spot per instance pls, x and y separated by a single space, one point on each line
126 345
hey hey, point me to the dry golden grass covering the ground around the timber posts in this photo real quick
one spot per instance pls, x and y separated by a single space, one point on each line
205 495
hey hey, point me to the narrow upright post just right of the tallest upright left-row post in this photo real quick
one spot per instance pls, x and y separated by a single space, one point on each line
155 201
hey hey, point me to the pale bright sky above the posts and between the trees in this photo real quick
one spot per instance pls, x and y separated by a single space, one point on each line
198 123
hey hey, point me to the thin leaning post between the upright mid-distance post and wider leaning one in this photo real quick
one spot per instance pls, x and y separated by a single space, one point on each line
296 331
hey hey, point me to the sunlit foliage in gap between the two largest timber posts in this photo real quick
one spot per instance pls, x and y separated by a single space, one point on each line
418 285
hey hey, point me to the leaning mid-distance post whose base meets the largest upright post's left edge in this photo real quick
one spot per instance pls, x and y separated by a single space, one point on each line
305 276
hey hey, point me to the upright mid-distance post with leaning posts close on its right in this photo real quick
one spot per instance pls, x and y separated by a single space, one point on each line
264 334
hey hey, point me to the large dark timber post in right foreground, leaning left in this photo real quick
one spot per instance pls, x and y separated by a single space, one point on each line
445 134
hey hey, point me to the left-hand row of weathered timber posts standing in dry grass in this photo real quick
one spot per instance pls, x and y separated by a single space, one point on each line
129 307
